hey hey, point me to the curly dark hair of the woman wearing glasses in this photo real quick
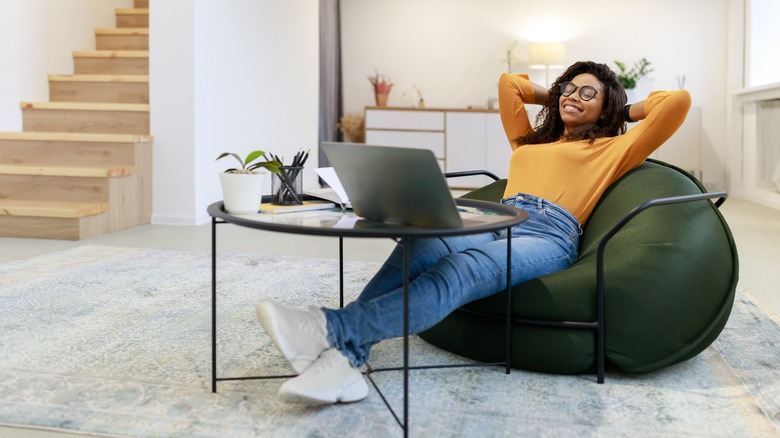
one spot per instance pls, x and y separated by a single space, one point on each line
549 125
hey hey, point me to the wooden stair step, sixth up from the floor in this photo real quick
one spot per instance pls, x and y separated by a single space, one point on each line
120 62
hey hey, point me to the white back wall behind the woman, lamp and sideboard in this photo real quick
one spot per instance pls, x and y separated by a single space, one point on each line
453 49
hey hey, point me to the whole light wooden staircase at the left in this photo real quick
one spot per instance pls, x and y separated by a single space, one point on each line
82 165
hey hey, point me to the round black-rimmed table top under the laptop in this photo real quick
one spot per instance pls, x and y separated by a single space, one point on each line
478 217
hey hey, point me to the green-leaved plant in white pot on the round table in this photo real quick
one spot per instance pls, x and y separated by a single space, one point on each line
242 187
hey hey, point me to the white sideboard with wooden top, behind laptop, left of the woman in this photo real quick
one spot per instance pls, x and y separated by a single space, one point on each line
460 139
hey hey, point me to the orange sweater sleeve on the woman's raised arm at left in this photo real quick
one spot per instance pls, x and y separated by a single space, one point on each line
514 91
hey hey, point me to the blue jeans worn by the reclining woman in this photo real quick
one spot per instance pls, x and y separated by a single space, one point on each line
446 273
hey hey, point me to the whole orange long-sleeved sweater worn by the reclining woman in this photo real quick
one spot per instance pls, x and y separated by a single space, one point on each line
575 174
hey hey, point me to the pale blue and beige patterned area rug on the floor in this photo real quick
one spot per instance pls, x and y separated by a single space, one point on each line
116 341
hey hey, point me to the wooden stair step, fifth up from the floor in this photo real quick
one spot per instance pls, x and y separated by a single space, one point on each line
99 88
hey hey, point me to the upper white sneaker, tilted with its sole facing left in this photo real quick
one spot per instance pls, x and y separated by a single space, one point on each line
300 335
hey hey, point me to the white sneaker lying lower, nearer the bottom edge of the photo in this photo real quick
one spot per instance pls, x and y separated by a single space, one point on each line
328 380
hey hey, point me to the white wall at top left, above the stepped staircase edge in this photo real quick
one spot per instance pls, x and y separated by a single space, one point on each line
38 38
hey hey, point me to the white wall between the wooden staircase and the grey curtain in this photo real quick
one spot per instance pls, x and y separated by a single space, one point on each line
229 76
